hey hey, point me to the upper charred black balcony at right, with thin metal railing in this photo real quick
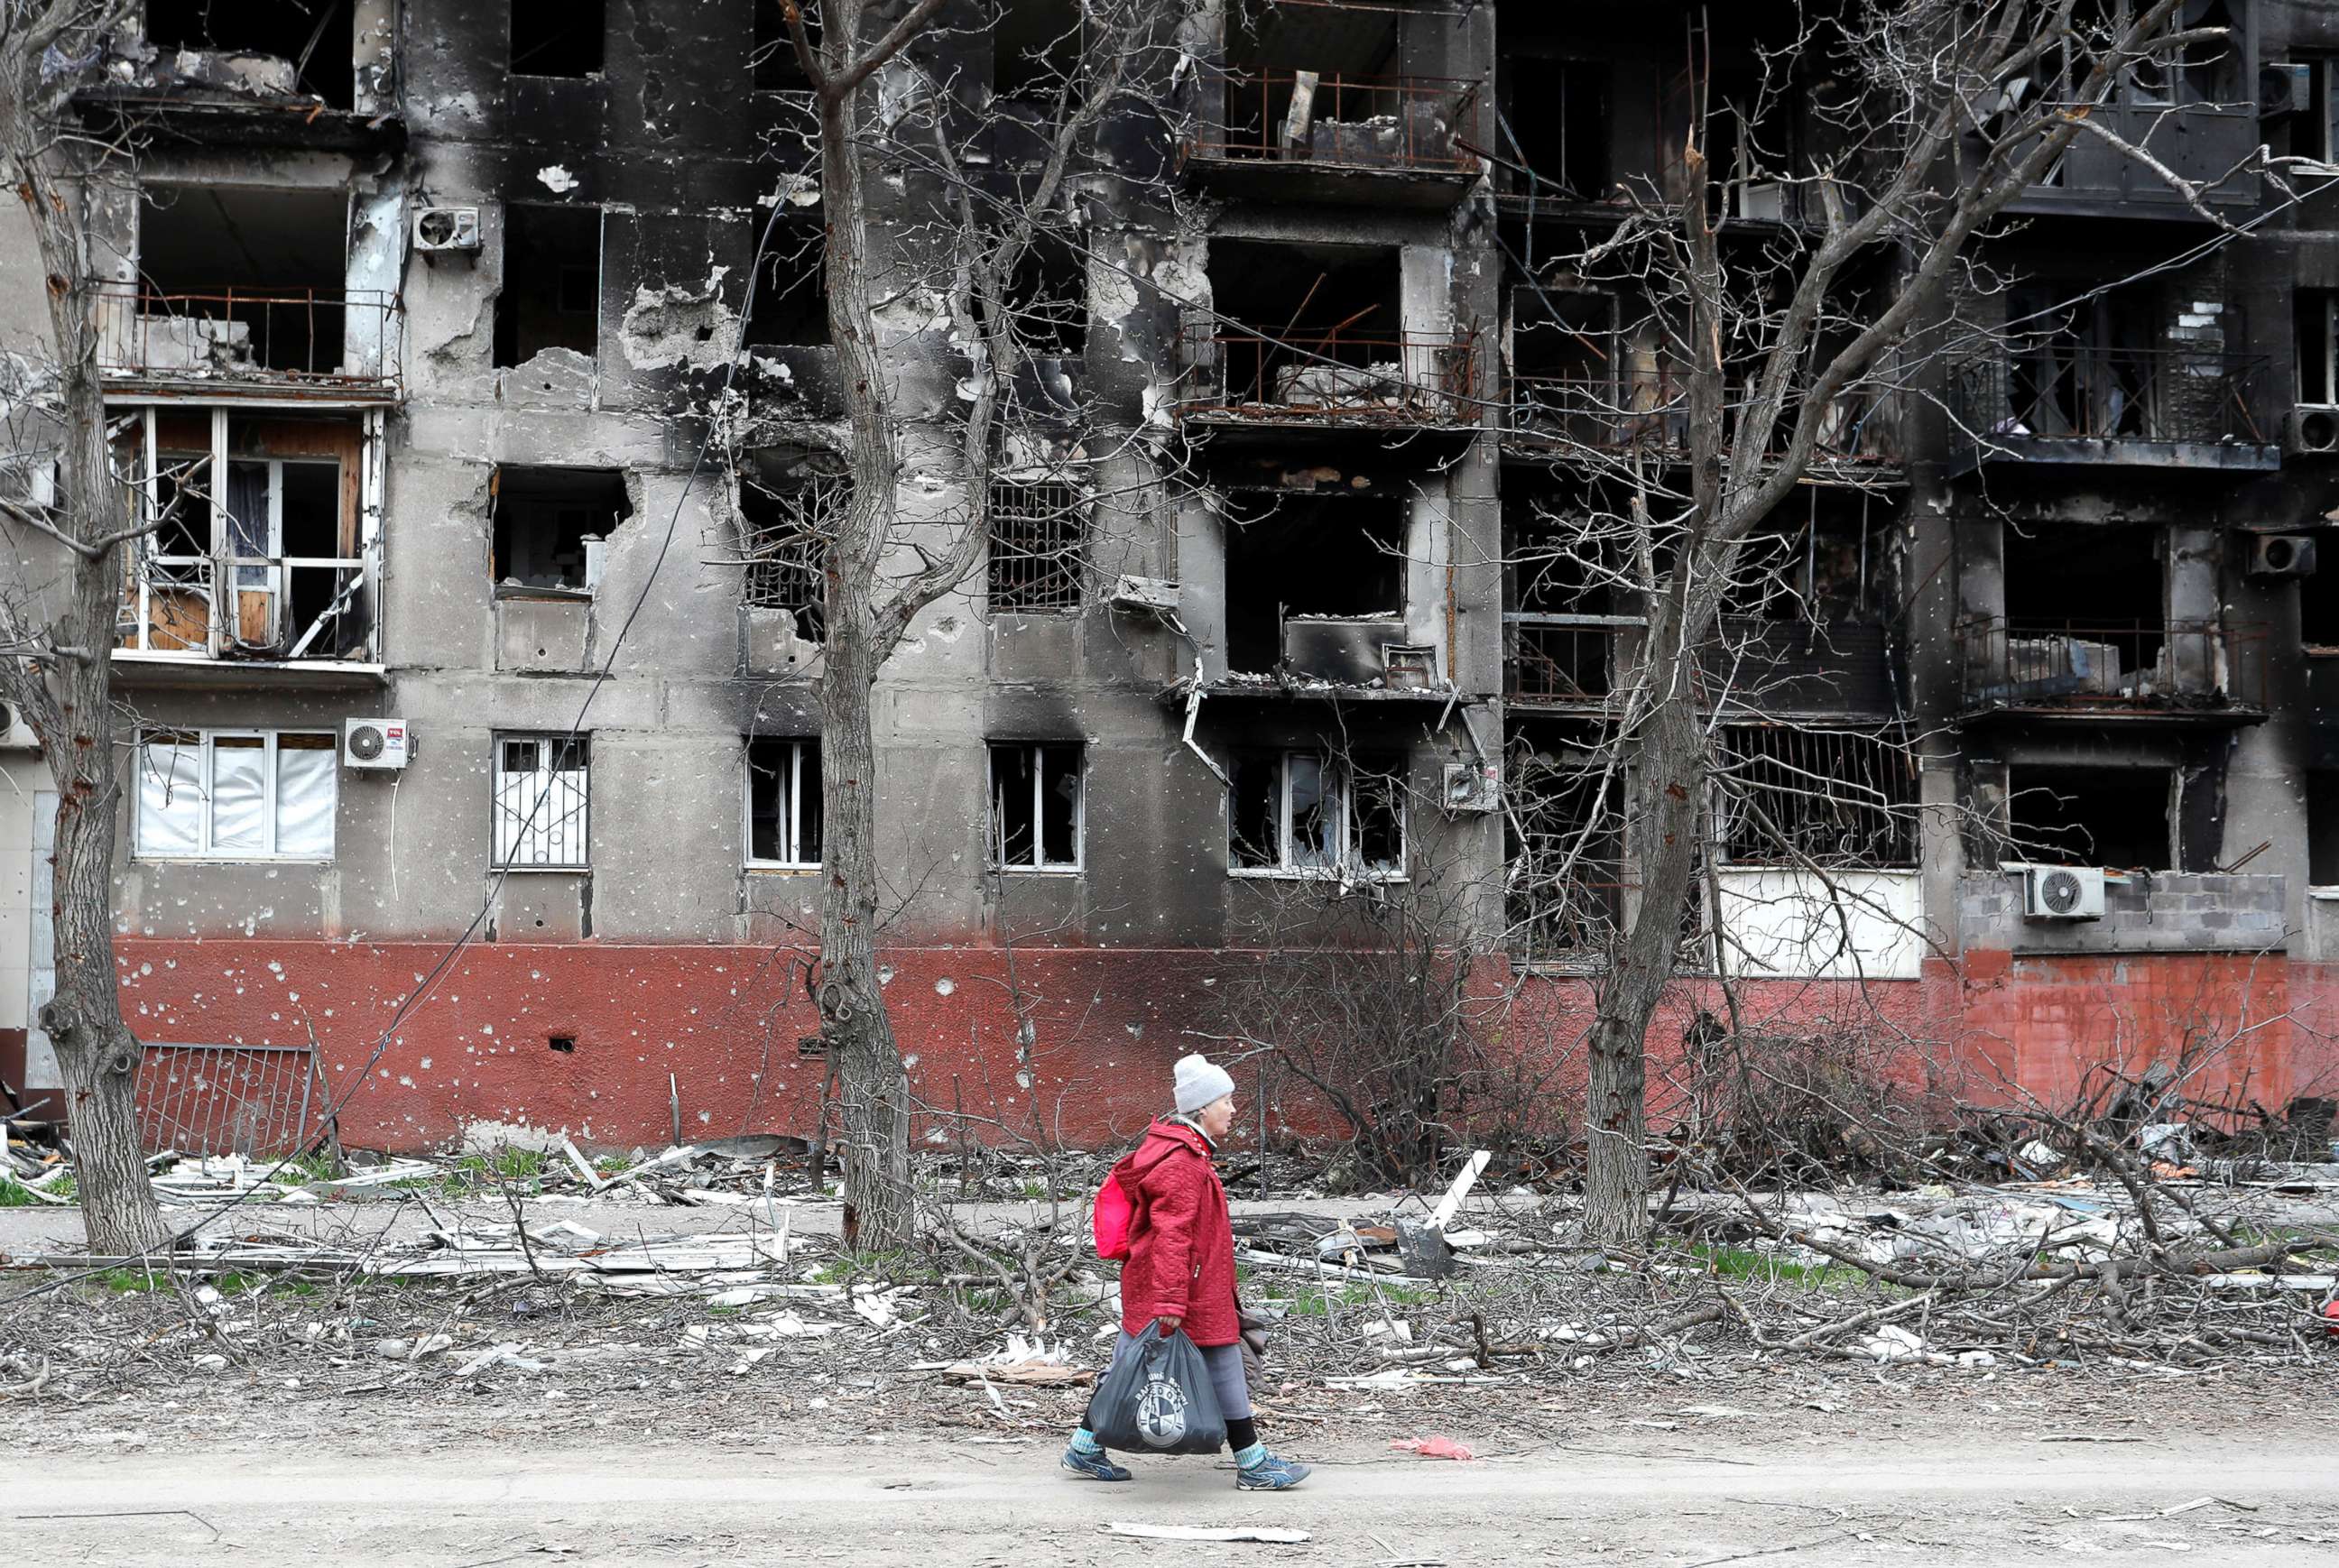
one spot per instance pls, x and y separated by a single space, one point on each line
2130 408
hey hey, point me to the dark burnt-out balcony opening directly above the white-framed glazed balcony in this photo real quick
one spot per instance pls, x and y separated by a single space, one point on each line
240 277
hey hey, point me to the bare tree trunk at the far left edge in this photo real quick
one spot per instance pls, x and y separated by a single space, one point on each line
57 637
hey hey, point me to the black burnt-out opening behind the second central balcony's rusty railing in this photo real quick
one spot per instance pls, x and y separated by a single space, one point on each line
1309 326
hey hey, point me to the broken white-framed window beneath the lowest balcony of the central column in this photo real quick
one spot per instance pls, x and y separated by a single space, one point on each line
1306 814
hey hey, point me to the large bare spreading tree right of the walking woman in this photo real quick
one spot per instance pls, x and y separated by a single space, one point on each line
1931 123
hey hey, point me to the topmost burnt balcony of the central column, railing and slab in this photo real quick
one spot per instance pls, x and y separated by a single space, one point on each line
1306 137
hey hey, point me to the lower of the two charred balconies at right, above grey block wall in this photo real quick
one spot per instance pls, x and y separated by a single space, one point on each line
2130 672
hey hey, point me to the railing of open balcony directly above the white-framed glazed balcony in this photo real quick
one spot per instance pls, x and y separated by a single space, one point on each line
315 340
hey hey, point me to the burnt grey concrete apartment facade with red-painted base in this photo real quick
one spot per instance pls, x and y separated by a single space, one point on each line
658 948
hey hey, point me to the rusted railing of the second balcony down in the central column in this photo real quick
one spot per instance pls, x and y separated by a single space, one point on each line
1332 377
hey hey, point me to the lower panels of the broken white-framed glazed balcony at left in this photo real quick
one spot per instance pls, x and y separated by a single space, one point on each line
270 609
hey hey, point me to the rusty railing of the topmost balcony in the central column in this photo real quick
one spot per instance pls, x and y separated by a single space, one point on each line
1344 123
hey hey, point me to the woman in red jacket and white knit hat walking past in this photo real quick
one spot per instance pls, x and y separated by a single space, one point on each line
1182 1272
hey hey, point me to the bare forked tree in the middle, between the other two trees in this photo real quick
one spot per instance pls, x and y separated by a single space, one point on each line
958 270
